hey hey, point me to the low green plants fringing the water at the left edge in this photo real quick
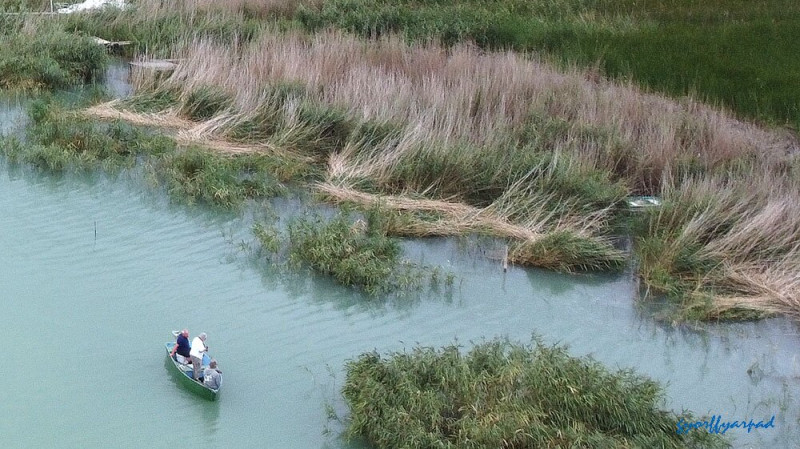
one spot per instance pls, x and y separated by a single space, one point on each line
62 139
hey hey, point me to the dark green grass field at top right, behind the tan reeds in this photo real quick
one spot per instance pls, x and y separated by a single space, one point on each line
735 53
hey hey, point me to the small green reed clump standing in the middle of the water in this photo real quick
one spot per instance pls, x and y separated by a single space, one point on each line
354 251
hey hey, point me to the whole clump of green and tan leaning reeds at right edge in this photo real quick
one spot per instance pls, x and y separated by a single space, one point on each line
725 247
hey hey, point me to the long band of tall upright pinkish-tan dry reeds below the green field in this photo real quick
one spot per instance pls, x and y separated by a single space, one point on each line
467 94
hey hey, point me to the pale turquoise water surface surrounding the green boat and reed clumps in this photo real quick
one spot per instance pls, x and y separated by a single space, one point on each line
96 272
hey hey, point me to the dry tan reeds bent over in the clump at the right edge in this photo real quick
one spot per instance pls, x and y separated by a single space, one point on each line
752 230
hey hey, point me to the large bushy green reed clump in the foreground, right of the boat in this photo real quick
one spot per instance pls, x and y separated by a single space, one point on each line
501 394
